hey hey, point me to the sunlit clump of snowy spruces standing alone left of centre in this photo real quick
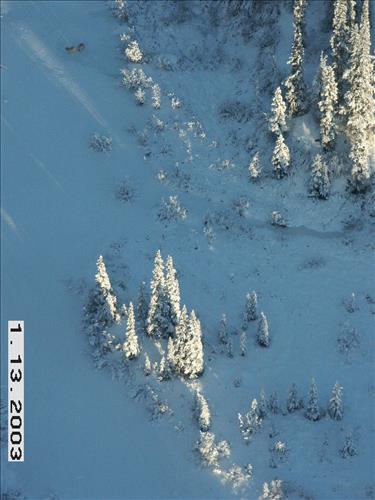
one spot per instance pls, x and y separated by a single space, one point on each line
160 318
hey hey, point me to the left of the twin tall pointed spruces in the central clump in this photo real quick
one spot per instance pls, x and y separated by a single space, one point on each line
158 323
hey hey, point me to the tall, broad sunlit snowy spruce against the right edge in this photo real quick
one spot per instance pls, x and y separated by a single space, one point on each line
360 102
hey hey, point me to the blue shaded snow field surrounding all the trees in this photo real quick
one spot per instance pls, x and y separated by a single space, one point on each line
90 434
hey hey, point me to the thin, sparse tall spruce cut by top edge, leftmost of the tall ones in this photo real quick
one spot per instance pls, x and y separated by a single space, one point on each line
296 89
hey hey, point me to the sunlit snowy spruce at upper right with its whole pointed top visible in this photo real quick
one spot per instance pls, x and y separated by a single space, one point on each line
328 95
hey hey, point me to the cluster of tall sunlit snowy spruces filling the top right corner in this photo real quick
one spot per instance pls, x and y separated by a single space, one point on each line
345 96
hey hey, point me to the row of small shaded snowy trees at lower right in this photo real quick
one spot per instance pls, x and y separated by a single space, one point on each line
251 422
